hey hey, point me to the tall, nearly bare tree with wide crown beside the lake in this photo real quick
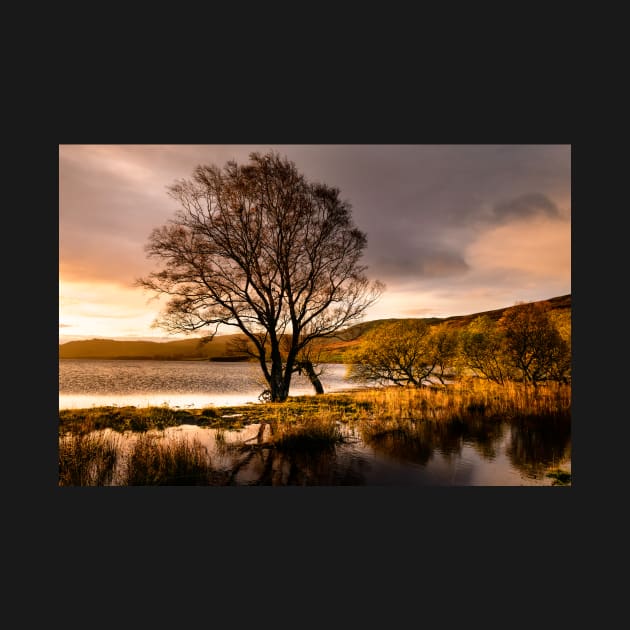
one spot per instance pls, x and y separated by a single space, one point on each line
259 248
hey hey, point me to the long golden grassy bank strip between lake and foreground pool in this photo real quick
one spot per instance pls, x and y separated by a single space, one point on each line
478 399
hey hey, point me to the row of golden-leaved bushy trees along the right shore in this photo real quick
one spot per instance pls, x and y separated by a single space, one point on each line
525 344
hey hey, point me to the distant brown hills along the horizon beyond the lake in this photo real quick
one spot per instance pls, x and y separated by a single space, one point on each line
330 350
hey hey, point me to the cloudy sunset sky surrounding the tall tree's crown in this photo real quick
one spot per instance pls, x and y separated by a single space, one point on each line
451 229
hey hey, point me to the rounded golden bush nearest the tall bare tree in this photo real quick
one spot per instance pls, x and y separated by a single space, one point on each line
405 352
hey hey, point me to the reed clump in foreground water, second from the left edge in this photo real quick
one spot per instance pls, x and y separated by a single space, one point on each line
155 461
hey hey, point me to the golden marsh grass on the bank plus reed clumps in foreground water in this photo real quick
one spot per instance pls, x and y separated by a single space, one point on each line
400 416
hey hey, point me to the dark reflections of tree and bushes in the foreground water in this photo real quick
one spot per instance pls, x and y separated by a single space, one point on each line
533 446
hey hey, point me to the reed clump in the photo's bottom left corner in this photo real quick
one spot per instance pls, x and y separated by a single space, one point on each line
87 459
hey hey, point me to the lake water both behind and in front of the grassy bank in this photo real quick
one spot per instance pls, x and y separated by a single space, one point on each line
457 453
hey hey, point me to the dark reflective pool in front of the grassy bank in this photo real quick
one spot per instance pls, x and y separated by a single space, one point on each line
427 453
